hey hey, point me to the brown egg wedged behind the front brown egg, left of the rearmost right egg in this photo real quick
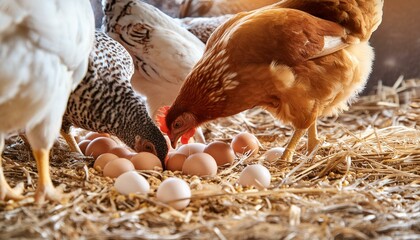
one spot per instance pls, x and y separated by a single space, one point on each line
221 152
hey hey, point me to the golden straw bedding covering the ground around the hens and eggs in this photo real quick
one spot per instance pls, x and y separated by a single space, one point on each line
362 183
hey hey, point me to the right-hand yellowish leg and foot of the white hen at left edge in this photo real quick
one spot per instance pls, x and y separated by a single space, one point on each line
45 189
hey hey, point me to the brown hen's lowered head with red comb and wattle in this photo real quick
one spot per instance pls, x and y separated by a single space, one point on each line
177 124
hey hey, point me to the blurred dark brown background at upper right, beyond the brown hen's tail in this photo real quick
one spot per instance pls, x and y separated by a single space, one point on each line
397 43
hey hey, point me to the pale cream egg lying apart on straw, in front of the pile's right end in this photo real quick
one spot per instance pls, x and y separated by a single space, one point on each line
255 175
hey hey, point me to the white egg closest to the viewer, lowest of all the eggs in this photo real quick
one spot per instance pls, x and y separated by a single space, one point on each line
172 190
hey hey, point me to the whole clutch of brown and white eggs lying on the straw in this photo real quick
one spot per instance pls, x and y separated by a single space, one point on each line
121 163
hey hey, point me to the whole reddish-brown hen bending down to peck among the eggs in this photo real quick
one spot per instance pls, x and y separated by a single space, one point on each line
300 59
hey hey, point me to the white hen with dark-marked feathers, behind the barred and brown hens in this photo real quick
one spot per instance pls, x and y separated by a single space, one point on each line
163 51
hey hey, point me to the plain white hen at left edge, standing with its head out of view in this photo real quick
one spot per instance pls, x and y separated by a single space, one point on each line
44 49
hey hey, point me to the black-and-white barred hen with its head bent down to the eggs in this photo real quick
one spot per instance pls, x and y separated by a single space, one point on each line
105 102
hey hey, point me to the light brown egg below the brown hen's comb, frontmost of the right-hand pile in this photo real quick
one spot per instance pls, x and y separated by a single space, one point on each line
200 164
